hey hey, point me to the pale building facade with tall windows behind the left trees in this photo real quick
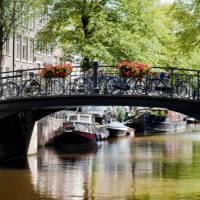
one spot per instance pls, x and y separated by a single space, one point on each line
20 52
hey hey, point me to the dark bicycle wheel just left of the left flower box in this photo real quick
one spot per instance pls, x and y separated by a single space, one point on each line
31 88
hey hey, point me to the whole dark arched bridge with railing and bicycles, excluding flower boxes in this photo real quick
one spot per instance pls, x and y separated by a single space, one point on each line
25 97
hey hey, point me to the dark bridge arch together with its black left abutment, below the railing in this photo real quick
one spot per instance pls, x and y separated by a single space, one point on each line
17 117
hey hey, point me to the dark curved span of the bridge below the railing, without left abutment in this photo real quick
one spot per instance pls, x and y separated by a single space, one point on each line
42 105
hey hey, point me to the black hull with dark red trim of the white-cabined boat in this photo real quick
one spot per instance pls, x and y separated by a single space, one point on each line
74 138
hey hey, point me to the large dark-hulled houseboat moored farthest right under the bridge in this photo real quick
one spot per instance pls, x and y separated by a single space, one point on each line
156 120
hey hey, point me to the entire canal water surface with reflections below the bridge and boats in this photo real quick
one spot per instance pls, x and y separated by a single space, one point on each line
145 168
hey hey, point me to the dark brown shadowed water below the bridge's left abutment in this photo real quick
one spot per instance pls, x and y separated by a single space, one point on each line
16 181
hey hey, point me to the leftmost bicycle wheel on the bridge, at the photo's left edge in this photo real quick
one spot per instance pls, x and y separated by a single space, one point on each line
10 90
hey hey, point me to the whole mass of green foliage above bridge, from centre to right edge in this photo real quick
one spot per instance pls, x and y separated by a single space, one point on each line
115 30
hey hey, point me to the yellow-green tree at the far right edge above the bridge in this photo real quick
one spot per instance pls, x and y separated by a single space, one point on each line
185 15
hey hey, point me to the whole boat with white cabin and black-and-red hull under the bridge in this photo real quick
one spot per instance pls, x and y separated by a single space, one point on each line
78 129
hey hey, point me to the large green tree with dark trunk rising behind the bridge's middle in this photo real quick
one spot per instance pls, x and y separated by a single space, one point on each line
106 30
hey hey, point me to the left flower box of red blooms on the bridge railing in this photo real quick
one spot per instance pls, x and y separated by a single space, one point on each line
57 71
